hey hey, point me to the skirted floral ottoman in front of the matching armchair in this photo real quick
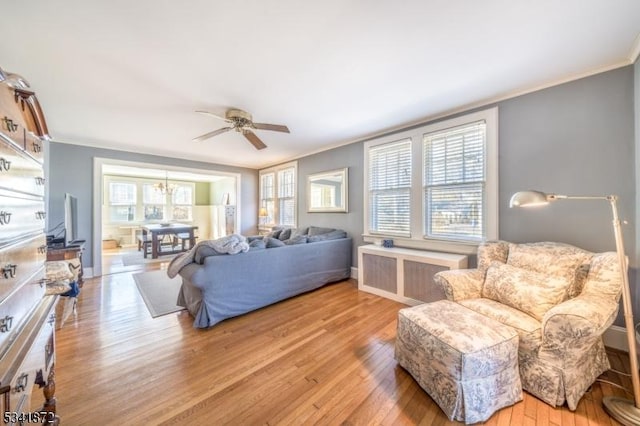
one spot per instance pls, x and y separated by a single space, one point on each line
466 362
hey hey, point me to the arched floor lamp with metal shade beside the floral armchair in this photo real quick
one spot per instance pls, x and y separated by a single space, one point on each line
623 410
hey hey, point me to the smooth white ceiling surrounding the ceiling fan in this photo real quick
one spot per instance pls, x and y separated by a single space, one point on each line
129 74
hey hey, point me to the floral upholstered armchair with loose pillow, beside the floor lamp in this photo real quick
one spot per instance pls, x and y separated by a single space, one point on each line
559 298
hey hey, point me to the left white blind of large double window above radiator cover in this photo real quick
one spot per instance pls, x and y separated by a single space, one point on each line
390 188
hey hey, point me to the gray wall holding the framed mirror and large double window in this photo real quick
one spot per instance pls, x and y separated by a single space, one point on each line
576 139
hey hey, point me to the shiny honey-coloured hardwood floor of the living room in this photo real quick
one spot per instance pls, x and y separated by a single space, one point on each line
324 357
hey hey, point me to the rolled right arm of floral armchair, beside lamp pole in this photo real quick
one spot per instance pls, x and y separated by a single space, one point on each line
572 327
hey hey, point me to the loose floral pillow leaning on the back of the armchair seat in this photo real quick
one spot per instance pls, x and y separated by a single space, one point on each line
529 291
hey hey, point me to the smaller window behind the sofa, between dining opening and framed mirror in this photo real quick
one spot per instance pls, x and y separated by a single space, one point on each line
278 194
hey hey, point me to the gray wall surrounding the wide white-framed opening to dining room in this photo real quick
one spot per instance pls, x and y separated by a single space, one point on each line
71 170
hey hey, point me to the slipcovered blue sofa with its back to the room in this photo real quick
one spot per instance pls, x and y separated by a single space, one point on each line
217 287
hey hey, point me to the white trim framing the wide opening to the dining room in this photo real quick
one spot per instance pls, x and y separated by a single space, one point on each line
98 196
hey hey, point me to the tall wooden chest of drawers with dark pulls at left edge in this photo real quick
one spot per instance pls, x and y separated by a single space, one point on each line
27 322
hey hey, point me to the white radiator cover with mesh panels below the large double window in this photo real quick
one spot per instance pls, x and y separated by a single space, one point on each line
404 275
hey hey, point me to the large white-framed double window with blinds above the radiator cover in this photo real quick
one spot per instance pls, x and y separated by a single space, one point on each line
436 186
